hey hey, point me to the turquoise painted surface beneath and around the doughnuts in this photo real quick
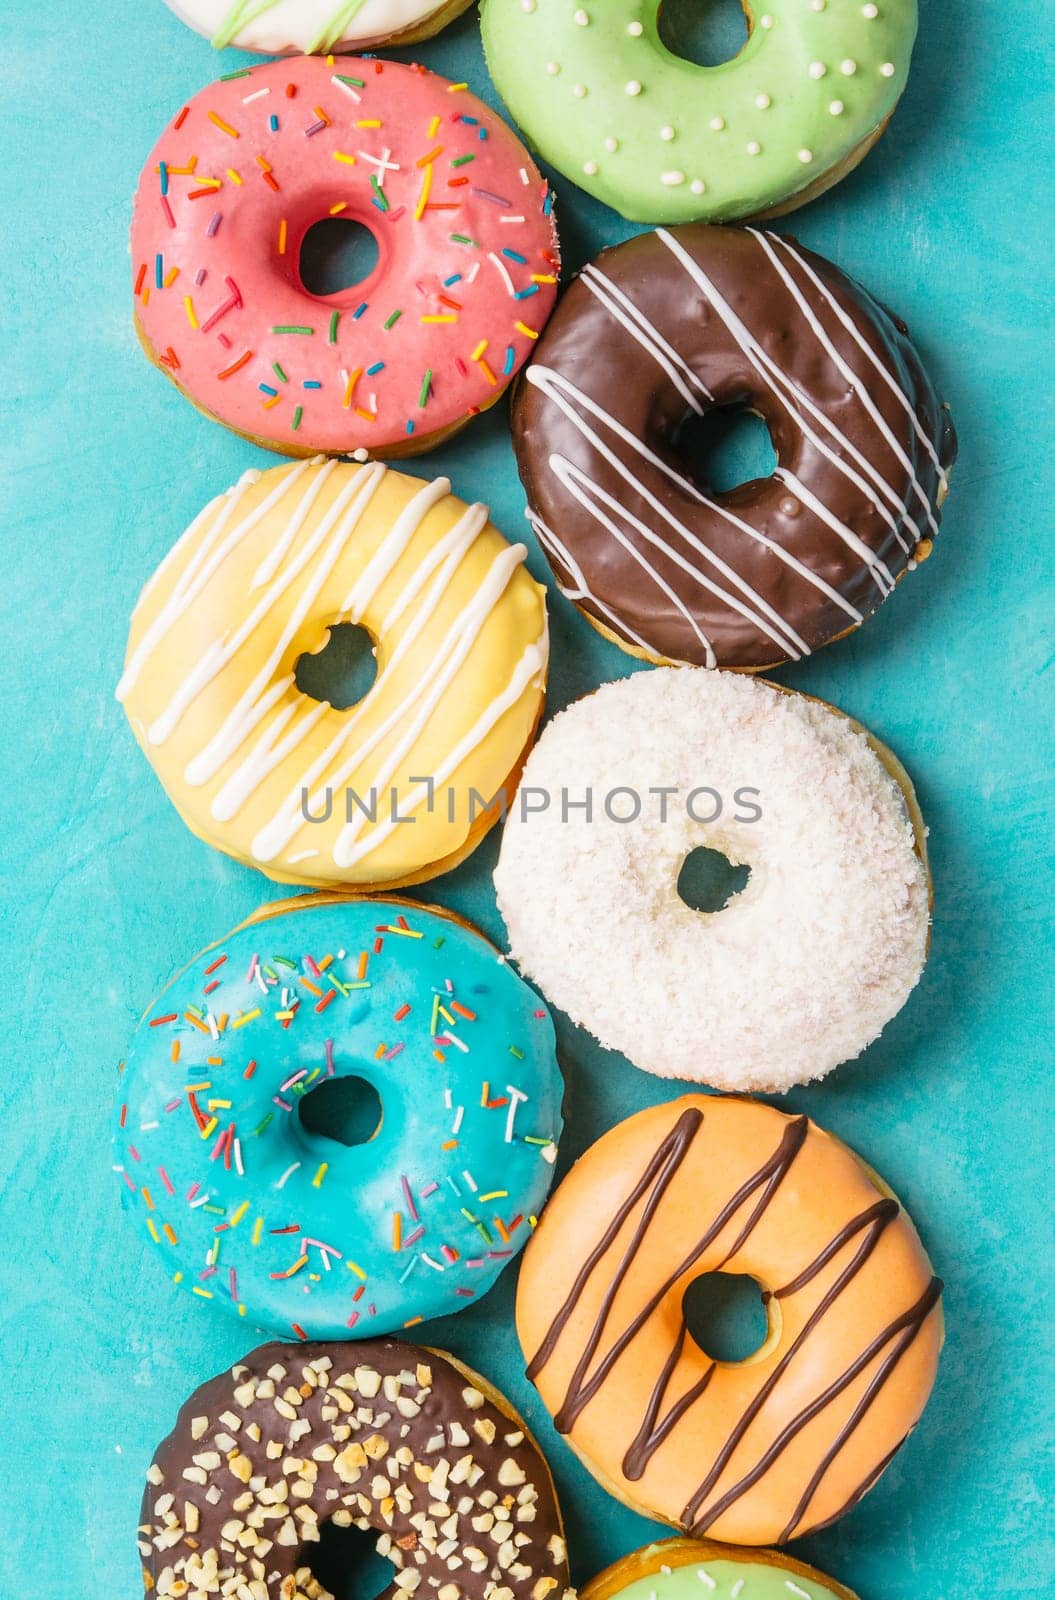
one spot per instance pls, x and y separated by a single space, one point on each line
105 892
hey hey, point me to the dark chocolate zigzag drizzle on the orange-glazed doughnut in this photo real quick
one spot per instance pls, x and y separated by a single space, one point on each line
660 1418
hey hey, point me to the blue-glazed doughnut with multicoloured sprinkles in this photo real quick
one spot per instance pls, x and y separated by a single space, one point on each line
302 1234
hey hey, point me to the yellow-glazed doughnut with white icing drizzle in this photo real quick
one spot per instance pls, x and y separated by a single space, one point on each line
291 785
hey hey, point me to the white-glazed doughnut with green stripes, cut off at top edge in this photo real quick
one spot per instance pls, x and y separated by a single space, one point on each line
279 28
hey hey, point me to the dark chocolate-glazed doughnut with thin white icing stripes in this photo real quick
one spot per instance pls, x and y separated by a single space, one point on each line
664 329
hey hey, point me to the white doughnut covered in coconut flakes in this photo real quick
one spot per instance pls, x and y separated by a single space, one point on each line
806 966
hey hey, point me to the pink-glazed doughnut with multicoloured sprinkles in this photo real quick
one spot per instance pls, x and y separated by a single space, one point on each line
462 218
